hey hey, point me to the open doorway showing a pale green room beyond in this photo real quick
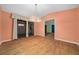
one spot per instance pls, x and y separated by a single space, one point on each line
49 28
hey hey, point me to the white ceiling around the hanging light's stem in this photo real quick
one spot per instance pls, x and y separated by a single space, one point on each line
42 9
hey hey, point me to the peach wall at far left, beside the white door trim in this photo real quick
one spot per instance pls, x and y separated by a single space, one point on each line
6 23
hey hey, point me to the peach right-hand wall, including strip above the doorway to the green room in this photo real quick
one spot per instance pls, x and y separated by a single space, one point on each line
66 24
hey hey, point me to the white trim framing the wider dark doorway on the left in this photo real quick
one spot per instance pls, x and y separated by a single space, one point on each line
15 18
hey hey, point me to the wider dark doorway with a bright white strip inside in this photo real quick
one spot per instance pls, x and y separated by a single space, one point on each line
21 28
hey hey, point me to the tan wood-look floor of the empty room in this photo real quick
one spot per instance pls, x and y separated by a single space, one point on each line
37 45
